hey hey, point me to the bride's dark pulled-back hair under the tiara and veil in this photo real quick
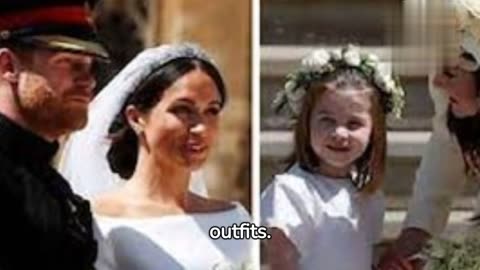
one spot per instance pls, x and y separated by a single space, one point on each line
122 155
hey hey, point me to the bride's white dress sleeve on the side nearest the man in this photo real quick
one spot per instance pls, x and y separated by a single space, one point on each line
106 256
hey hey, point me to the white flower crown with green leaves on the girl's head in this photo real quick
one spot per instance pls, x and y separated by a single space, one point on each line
321 63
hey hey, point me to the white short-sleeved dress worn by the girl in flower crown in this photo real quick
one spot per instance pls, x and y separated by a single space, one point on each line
332 225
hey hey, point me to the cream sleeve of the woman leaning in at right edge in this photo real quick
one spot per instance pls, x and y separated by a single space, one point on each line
439 178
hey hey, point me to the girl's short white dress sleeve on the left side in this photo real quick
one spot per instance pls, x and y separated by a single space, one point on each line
285 205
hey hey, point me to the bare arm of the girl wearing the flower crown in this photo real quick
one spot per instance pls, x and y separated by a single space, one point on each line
281 252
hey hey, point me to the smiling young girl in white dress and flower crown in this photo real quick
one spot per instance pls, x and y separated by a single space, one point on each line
326 210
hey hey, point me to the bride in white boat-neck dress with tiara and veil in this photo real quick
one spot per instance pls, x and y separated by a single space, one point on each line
159 117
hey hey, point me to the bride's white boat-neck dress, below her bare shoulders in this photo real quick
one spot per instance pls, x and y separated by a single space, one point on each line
171 242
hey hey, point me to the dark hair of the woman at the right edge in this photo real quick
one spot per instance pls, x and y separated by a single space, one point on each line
467 130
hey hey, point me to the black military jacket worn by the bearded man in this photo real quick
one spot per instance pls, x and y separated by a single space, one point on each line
43 225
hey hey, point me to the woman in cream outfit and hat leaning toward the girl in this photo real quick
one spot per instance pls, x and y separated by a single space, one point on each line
451 157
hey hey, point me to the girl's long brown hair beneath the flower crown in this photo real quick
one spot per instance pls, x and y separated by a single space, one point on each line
370 166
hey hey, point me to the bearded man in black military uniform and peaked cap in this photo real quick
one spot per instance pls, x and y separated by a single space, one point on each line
47 50
